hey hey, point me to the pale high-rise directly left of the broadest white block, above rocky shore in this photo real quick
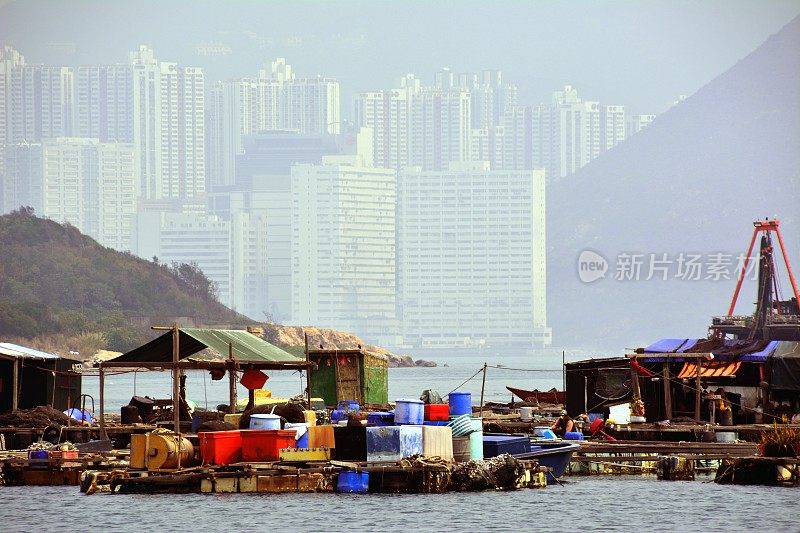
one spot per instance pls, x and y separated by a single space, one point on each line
343 247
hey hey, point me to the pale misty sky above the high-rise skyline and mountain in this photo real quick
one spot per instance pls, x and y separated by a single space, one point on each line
641 54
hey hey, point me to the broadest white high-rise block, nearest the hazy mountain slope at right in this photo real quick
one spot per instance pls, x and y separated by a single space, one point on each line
471 258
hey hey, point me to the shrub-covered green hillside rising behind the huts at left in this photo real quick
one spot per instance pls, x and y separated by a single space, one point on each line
60 289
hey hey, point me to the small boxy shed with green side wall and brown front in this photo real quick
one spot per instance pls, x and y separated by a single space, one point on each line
349 375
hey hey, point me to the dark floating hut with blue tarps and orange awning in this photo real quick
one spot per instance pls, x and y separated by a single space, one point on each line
675 378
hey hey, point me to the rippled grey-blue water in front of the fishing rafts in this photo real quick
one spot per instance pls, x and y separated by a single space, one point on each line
582 504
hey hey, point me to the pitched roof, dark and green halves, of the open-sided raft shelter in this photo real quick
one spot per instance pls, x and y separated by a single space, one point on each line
247 348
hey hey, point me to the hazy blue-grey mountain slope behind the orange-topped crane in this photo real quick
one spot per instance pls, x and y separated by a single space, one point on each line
692 182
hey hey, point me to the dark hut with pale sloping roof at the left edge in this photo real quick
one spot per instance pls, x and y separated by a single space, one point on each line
30 378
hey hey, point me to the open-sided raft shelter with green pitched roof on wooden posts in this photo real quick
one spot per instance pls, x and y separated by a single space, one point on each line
237 350
